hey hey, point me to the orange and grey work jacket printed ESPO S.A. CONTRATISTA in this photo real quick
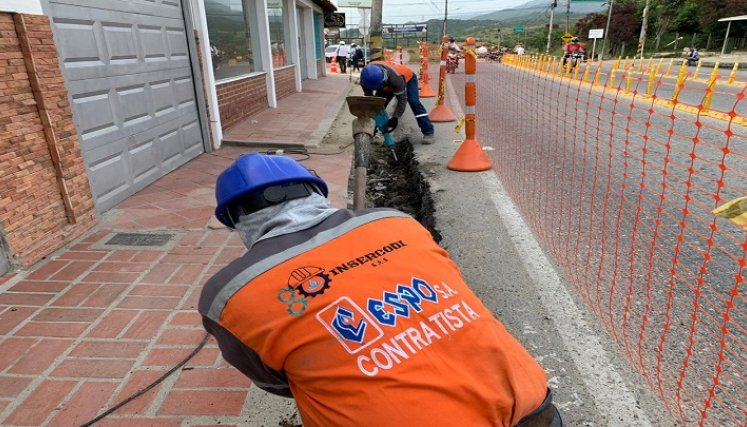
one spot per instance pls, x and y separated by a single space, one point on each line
372 324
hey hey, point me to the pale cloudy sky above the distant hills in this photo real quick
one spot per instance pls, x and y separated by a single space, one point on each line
401 11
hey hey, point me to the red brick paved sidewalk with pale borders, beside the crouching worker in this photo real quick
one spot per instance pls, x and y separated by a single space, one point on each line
96 321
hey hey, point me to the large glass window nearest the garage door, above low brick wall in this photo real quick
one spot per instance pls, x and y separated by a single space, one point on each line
230 41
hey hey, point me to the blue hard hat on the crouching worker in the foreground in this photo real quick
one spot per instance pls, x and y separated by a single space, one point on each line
253 173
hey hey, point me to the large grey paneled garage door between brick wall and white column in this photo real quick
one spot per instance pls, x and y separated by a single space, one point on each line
128 72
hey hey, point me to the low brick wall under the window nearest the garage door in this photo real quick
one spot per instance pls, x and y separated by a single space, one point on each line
241 98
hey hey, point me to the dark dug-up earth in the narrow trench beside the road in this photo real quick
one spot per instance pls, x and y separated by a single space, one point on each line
400 185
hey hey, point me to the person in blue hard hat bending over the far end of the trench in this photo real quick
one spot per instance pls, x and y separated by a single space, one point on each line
387 80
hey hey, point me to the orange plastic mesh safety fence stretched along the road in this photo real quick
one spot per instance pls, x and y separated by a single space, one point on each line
619 191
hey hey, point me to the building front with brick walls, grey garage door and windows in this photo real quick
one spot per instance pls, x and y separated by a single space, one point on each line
99 98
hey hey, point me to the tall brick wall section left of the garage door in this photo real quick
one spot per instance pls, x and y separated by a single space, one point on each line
45 199
